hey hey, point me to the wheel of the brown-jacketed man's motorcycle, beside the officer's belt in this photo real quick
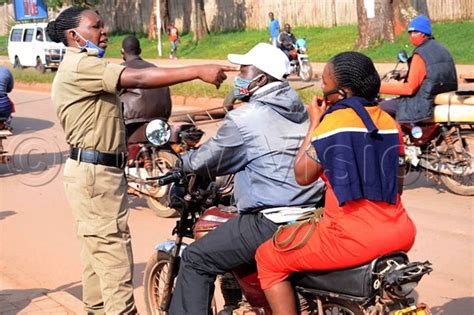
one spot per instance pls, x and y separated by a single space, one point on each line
160 205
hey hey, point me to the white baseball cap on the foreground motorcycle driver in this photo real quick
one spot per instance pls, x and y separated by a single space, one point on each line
265 57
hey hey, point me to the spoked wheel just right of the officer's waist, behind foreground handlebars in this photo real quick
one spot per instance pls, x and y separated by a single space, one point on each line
158 200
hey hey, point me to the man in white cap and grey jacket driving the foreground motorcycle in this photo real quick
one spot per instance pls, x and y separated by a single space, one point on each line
258 143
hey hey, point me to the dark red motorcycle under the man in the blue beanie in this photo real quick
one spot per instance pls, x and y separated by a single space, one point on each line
443 146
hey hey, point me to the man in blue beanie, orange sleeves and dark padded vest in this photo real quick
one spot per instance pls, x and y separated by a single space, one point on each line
431 71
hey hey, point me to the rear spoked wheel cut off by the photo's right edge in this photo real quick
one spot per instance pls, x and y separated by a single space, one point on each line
463 183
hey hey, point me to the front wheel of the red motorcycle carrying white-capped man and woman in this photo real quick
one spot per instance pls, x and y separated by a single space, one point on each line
156 271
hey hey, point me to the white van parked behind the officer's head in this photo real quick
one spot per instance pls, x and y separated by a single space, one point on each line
30 46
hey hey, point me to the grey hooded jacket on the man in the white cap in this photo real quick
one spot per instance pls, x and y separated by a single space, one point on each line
258 142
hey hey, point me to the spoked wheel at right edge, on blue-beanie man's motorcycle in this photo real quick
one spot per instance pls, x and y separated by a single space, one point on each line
459 184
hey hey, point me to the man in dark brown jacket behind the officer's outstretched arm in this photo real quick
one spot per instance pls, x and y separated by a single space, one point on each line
140 106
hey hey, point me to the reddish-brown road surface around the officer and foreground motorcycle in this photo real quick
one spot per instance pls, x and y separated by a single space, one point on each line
38 247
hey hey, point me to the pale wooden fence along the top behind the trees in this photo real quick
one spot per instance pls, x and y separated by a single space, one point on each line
226 15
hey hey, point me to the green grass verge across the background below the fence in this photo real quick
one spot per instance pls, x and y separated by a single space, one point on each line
322 43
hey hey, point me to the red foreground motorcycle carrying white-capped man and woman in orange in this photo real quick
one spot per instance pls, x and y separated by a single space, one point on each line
378 287
